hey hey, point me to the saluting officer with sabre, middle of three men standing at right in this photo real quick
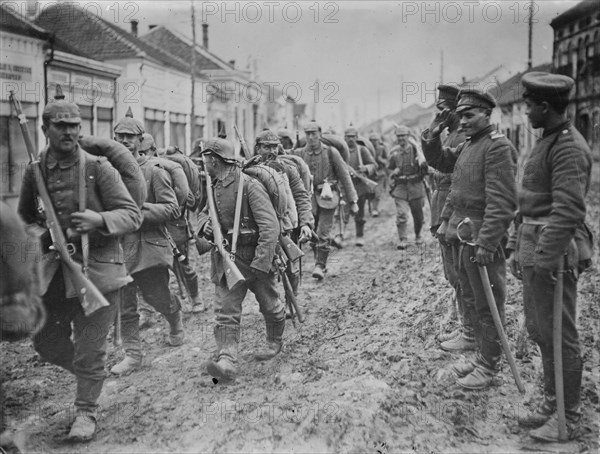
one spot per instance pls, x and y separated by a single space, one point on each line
482 189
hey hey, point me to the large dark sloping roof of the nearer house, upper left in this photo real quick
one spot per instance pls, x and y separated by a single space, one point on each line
102 39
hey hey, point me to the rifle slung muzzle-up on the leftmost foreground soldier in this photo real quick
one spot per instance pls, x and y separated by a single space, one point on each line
90 297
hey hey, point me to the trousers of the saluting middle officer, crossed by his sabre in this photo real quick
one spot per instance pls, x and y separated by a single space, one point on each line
486 335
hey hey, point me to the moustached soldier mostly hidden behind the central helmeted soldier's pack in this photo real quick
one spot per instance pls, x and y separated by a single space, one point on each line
266 146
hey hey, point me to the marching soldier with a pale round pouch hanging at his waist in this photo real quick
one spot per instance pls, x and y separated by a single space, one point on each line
330 172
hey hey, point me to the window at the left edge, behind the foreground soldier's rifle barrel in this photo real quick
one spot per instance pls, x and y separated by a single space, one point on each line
12 146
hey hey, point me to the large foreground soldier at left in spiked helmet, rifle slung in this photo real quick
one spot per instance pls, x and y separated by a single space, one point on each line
93 206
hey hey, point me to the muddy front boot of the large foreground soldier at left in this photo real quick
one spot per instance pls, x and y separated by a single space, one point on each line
86 408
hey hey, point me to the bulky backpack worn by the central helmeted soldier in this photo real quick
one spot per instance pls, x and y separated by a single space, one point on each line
275 182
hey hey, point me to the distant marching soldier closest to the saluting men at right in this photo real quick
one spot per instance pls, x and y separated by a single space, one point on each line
407 165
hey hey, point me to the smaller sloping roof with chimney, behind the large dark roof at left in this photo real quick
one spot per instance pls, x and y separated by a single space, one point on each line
181 47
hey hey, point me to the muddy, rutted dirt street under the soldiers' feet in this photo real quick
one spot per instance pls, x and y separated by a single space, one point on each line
363 374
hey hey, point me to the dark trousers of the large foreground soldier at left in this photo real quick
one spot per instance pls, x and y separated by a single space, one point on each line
75 342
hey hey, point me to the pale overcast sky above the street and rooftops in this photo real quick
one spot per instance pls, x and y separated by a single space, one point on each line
362 52
